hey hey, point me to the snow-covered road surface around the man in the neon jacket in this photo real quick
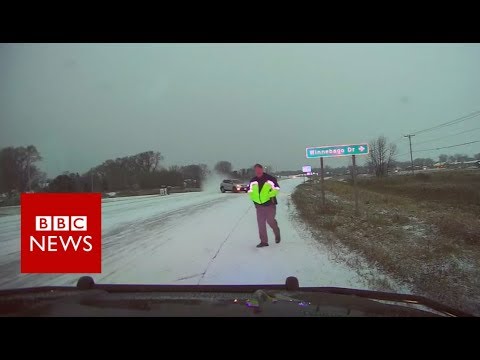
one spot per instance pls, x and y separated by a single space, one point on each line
190 238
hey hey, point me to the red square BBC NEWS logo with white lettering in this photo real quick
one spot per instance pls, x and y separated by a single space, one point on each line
61 233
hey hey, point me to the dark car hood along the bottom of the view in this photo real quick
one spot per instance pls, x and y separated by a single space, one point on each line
90 299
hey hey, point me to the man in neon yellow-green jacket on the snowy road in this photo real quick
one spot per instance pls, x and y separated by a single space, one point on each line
263 190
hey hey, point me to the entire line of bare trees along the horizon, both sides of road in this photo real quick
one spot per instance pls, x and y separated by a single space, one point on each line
19 171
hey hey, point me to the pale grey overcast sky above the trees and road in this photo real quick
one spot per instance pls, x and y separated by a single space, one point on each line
81 104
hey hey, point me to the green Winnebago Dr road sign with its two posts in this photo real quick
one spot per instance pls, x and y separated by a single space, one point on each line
336 151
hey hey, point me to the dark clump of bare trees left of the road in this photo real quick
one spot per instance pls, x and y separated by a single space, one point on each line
19 172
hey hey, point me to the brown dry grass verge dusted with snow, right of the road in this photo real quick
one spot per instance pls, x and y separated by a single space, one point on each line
425 243
